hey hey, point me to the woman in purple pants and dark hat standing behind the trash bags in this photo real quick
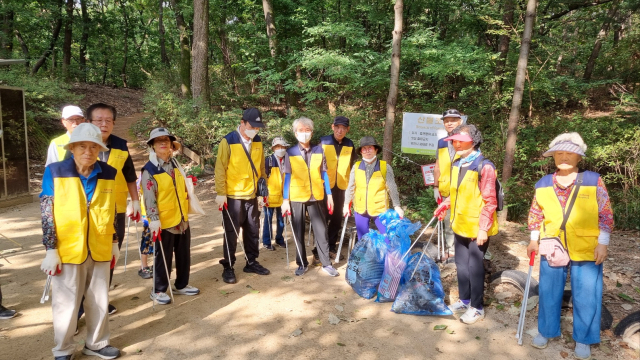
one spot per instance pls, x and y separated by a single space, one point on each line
368 184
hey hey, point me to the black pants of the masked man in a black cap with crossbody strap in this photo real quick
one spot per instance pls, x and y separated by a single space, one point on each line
245 215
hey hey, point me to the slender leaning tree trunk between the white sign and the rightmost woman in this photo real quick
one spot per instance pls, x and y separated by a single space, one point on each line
518 90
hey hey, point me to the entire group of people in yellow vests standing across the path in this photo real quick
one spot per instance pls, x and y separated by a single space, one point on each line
89 174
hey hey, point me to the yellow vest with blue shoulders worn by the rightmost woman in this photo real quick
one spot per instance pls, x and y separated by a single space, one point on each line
582 224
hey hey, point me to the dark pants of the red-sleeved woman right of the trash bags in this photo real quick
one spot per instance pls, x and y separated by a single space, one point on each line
470 269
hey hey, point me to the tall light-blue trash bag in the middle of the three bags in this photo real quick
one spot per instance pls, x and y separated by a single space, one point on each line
398 232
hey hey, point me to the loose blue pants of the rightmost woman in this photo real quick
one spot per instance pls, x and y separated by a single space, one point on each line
586 289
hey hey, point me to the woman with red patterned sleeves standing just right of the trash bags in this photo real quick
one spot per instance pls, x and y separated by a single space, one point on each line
473 205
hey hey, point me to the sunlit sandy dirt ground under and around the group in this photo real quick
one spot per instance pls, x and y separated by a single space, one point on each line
282 316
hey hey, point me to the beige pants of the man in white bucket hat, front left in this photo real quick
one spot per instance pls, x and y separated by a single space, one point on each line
91 280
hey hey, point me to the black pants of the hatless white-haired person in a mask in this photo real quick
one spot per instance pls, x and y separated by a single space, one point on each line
319 224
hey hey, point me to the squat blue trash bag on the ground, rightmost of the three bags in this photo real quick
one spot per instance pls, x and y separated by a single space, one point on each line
422 293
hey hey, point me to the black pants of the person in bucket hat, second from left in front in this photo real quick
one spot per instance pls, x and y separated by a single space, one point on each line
180 245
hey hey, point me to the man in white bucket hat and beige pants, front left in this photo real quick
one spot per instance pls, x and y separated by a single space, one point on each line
78 208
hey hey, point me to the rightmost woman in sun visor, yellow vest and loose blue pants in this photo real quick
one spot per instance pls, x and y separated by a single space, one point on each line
586 233
